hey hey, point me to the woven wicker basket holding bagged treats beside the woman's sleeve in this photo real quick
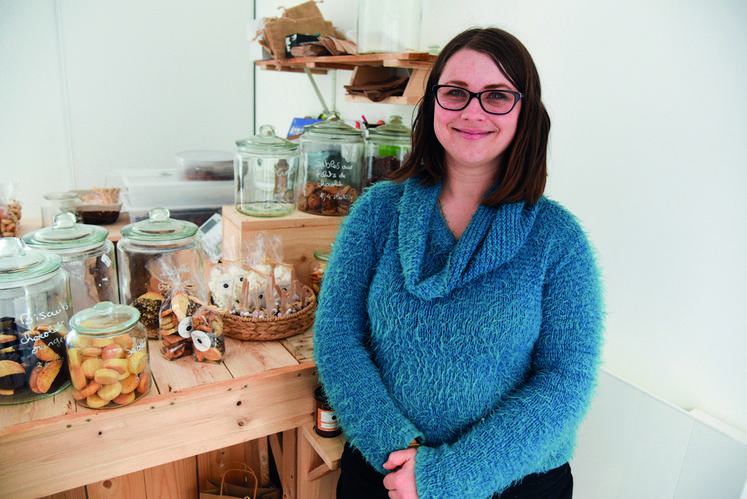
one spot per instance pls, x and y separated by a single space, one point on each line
270 328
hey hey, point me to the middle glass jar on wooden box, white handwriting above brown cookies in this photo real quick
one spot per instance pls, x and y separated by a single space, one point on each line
332 167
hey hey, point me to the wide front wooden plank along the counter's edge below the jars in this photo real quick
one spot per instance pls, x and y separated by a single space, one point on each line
93 446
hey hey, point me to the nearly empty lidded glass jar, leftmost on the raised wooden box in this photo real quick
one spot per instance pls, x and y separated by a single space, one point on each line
266 167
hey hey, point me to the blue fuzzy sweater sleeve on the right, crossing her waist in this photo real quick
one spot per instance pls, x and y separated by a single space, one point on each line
537 423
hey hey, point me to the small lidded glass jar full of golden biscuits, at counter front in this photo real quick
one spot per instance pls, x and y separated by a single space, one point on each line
107 353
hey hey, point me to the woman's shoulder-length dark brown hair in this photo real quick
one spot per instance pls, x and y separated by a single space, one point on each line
524 174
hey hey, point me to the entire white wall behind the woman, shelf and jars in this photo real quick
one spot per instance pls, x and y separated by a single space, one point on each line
647 101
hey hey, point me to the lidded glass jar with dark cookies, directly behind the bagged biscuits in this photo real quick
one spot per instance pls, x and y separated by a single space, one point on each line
155 256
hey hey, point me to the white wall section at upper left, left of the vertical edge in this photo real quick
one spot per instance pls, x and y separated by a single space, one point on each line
88 88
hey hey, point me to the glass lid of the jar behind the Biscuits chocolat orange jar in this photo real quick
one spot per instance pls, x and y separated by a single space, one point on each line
65 233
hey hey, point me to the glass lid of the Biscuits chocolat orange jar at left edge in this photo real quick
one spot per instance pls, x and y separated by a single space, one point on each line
19 263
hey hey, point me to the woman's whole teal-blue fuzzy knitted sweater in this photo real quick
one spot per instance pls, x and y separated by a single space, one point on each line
486 348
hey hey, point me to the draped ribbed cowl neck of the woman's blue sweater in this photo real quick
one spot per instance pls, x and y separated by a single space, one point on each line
493 237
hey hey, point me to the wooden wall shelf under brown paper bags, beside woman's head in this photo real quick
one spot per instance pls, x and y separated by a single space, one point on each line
366 67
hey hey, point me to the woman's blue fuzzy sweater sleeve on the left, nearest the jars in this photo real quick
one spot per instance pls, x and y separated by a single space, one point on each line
369 417
